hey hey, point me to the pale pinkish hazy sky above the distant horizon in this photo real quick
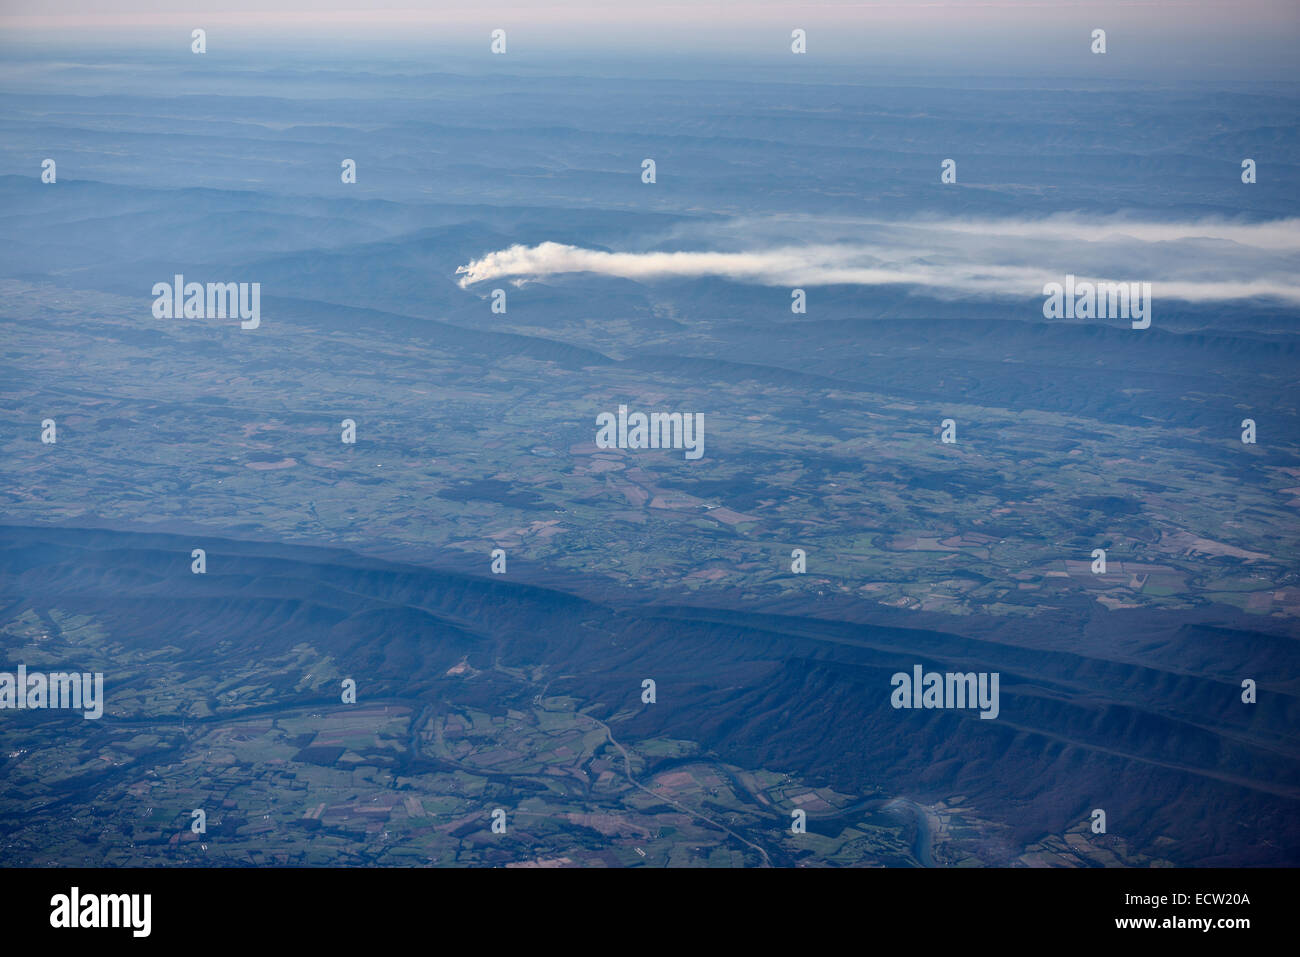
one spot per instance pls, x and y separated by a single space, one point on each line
1243 38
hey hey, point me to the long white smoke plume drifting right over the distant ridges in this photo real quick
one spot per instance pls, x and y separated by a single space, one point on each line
1194 262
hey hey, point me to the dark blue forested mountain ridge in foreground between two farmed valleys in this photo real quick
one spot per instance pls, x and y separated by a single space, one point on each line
1126 729
